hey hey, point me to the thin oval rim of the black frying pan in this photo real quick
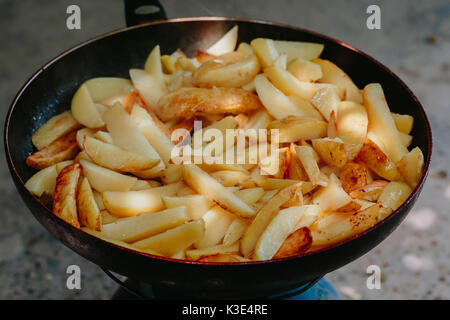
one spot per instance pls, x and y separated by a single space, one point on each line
416 190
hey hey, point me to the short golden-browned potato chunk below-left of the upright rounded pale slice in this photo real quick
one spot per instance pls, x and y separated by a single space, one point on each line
332 151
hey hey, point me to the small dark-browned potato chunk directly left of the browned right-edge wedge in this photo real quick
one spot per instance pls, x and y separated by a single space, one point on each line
354 176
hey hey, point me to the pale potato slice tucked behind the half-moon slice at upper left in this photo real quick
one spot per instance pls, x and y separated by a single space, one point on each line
106 88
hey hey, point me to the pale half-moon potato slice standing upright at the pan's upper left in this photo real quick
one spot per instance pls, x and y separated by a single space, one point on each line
84 110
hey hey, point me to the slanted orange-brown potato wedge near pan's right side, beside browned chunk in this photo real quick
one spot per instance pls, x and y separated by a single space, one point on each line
371 155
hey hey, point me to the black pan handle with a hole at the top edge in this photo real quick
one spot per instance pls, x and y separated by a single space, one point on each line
141 11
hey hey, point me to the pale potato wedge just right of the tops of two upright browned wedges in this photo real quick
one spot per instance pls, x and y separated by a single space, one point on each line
102 179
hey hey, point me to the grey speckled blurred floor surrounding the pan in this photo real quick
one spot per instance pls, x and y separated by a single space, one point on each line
414 42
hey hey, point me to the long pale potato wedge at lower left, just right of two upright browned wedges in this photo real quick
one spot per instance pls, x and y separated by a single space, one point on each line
144 225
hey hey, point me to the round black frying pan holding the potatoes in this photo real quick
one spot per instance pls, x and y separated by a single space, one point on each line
48 92
